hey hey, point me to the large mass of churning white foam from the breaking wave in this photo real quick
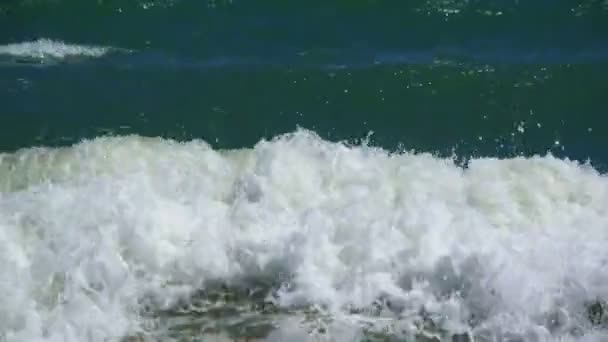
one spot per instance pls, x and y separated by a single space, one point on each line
87 232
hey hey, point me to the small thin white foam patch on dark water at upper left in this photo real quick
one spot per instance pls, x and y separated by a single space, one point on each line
47 48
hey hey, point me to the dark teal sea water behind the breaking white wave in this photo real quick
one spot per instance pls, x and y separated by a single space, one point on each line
437 76
